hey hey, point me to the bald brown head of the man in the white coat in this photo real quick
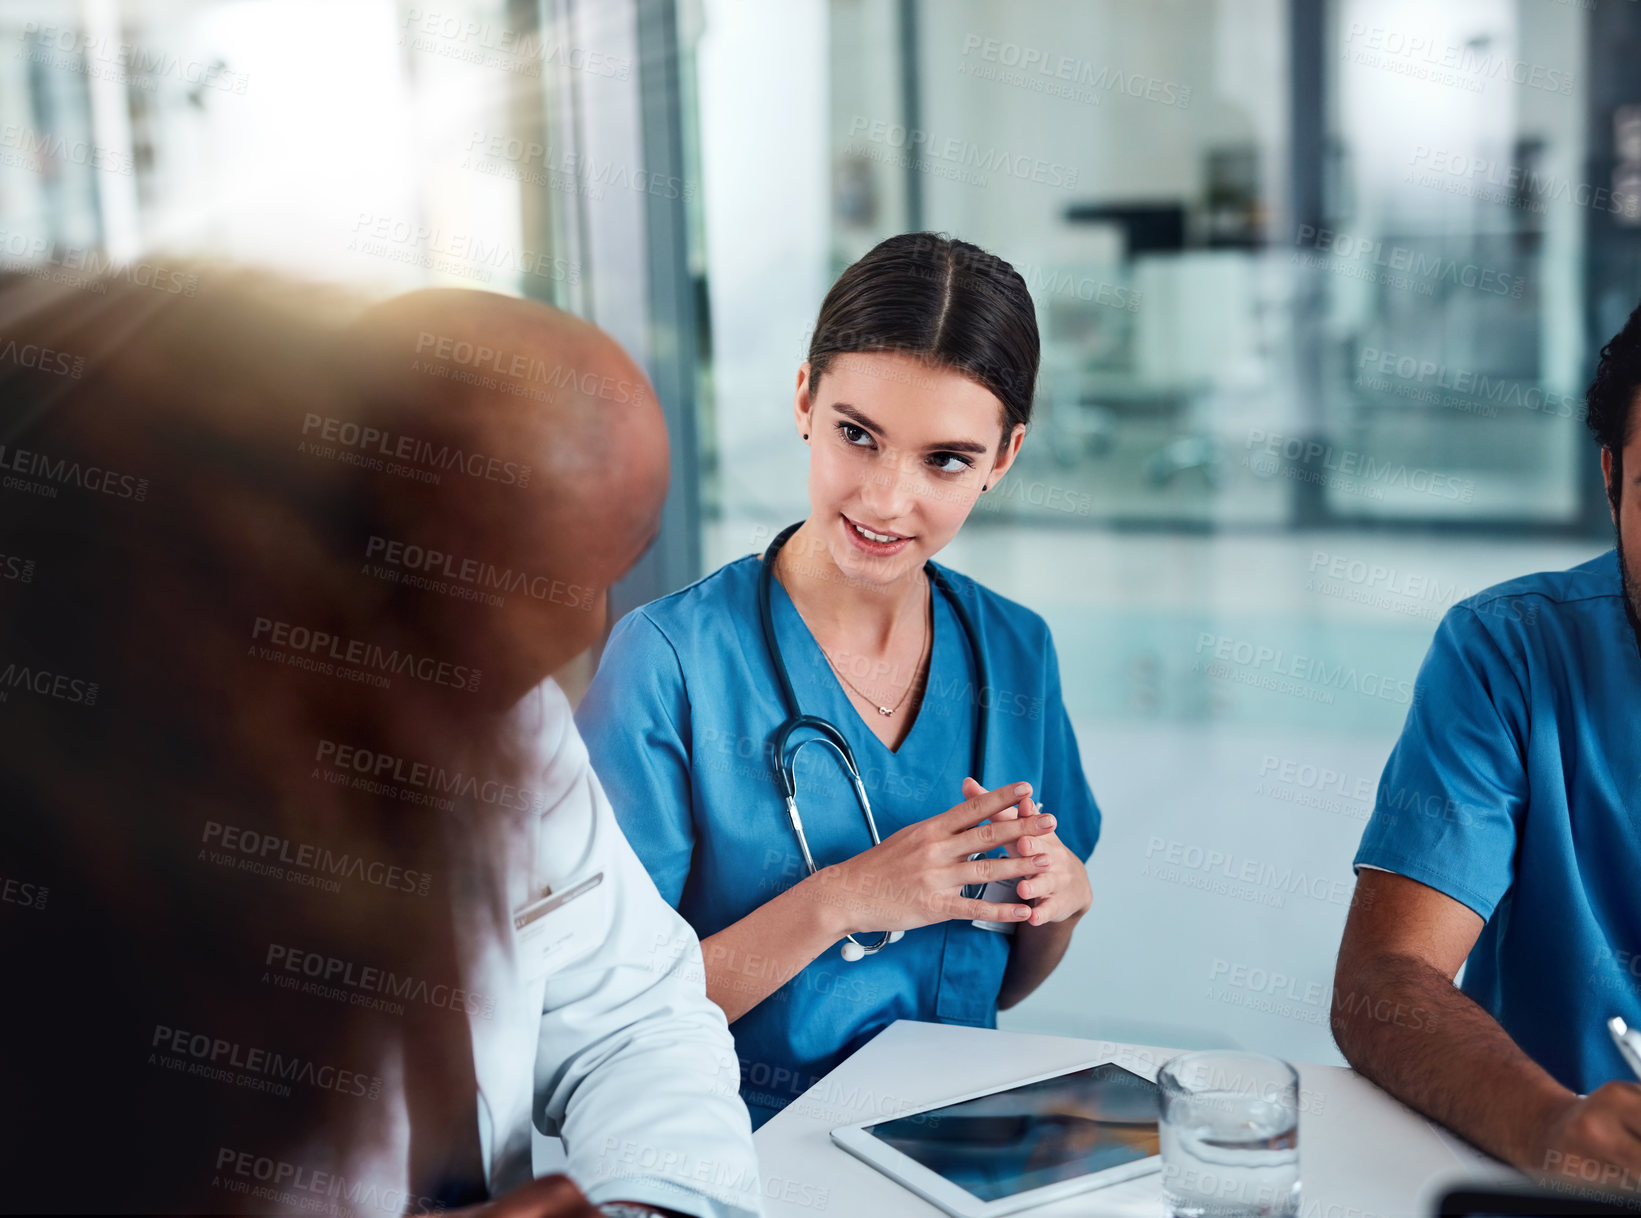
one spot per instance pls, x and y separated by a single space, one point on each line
544 390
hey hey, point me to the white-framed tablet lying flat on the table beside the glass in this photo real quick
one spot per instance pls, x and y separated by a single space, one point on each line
999 1152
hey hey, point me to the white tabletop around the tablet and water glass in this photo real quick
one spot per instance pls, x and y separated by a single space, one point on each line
1363 1155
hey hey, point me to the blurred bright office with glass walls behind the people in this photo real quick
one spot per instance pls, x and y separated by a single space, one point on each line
1320 286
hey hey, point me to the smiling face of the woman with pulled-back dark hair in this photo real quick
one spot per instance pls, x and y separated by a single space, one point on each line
898 456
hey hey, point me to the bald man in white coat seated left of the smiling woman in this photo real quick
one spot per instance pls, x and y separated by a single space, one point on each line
601 1033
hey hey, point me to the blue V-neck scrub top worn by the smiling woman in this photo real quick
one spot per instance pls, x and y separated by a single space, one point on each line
680 723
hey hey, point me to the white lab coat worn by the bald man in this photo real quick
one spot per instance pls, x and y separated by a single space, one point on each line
634 1066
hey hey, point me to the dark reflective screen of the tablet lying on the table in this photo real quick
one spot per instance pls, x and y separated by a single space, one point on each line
1035 1135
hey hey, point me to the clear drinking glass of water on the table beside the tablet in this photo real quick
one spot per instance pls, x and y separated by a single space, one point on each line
1230 1135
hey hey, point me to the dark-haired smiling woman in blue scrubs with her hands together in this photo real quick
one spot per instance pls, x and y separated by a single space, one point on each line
913 403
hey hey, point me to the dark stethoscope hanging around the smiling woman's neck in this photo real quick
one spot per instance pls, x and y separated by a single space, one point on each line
785 753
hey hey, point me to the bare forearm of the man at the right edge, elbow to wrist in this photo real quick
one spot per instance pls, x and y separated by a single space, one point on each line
1409 1028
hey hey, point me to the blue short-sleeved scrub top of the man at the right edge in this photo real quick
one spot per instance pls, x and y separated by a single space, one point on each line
1517 790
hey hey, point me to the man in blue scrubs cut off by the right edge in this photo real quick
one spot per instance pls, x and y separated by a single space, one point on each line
1507 835
